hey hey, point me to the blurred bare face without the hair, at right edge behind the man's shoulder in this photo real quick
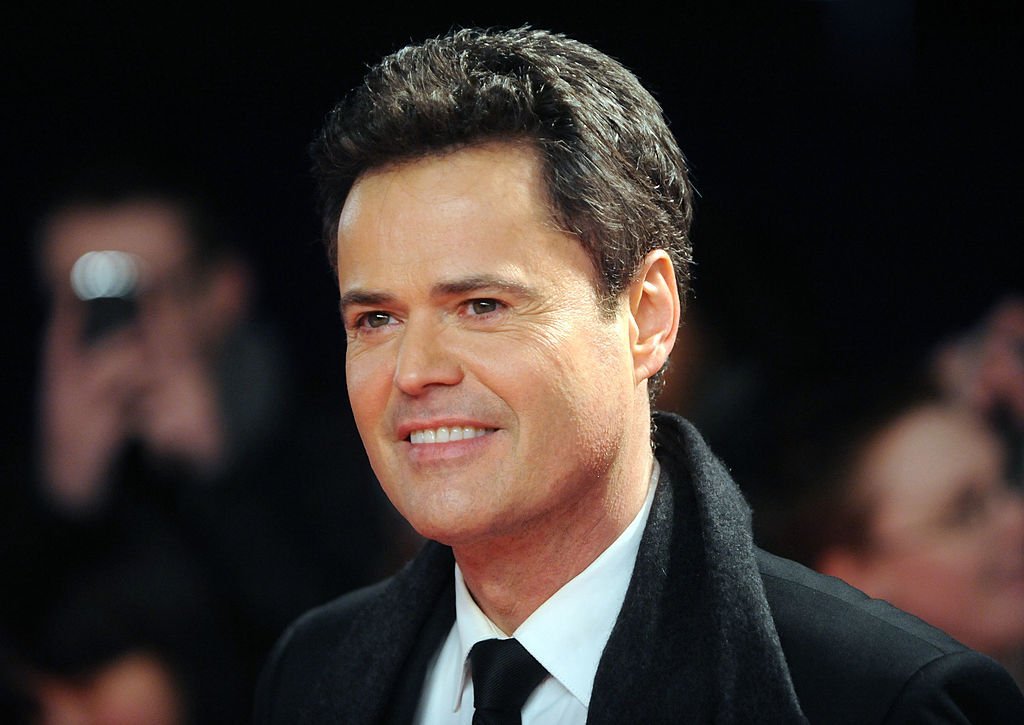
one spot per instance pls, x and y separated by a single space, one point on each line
947 535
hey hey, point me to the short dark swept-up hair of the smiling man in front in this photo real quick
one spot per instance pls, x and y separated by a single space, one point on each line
616 177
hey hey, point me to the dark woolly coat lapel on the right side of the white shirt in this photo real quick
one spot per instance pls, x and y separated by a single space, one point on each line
695 635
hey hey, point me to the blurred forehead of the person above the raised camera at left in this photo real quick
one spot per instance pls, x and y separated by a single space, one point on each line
151 230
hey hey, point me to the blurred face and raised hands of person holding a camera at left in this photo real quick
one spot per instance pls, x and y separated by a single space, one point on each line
150 373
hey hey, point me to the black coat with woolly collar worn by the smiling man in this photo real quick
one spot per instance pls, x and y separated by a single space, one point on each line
712 630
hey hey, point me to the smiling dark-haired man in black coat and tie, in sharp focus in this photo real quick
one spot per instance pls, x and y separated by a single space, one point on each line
509 218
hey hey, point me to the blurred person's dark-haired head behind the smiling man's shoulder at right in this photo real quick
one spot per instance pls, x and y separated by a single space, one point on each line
915 508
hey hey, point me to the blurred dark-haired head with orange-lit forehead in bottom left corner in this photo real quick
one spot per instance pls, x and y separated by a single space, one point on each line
133 635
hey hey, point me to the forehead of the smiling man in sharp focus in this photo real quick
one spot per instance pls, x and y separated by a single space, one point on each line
453 215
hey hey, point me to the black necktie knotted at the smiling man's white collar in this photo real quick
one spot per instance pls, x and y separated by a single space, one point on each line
504 675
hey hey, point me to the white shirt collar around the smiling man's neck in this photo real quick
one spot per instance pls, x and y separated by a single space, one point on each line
569 632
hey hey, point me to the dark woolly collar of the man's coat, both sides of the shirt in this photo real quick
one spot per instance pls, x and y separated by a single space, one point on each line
695 634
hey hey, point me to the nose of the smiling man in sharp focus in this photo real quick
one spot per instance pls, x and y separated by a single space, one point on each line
426 359
